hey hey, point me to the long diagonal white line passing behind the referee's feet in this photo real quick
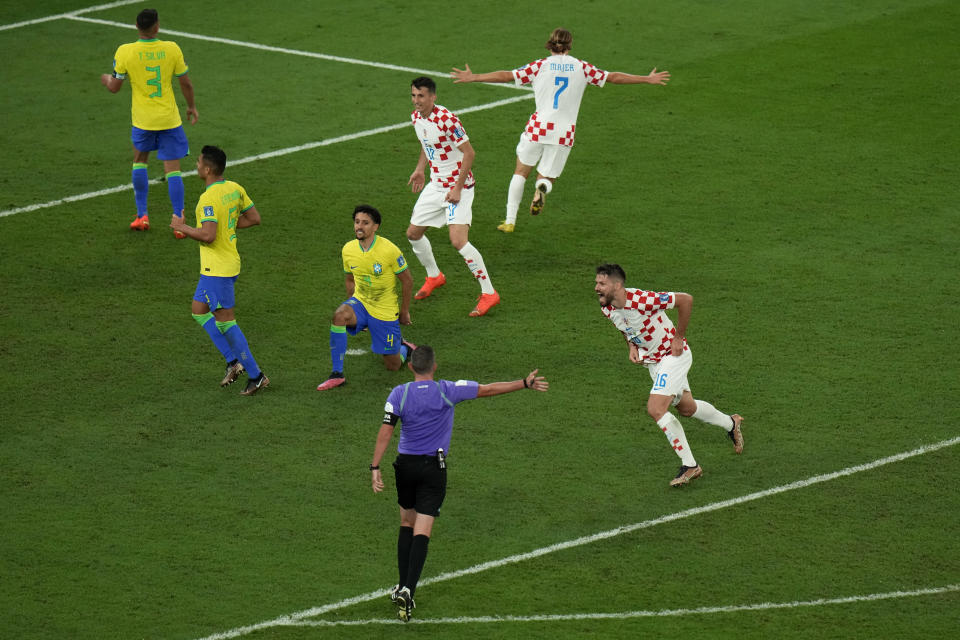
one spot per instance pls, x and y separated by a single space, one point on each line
292 618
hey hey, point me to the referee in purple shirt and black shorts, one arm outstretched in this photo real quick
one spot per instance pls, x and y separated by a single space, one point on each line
425 406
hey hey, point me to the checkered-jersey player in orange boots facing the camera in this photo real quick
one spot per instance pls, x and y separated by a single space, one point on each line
447 199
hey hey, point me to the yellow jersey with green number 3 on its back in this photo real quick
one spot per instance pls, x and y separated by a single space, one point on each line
151 66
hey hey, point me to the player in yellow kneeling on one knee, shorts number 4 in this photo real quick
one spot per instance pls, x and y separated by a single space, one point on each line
372 266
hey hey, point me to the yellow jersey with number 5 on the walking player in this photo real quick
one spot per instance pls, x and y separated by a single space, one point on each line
222 202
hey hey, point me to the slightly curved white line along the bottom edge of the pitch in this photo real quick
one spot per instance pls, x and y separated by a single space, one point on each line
624 615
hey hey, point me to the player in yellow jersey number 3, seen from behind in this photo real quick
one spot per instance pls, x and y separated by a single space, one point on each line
151 65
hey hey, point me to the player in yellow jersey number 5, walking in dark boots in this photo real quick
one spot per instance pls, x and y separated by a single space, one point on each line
222 209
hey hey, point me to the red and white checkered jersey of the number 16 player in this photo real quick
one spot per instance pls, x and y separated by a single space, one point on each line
643 321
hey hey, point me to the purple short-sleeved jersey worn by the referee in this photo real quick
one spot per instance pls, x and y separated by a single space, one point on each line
425 408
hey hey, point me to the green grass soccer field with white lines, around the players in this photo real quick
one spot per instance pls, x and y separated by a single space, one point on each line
798 177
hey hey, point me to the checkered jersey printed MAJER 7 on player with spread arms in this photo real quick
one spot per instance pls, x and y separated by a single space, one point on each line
558 84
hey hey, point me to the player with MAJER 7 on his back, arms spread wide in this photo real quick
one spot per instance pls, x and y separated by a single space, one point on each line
558 84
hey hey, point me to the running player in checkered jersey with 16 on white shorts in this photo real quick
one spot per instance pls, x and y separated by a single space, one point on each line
662 348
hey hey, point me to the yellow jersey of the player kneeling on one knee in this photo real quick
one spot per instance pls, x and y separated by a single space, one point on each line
375 275
